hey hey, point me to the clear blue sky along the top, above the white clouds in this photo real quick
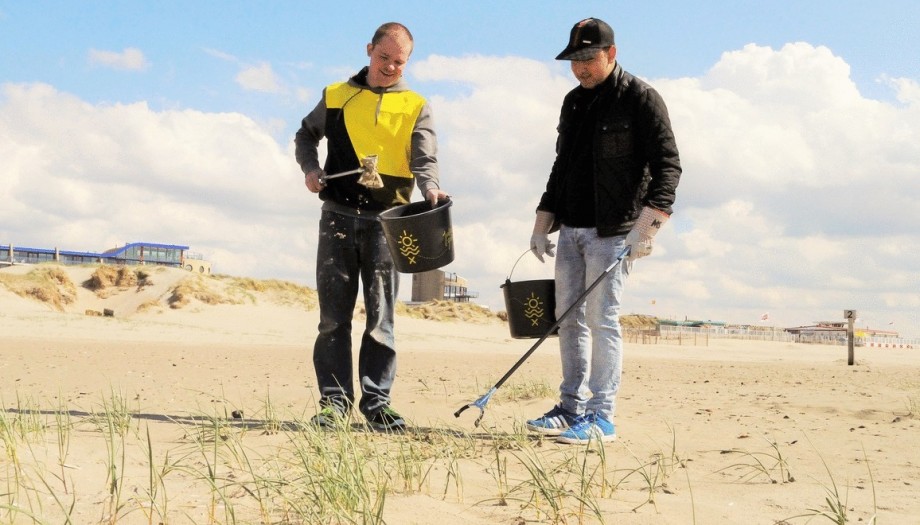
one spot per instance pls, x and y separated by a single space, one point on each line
308 43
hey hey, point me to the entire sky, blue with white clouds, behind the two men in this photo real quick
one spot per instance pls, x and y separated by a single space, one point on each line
798 125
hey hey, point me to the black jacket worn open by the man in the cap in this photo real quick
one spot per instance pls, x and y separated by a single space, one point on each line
635 162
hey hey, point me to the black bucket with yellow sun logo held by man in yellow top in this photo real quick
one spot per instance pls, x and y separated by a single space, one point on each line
420 238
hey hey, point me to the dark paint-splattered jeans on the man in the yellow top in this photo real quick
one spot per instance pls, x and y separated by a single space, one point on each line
350 249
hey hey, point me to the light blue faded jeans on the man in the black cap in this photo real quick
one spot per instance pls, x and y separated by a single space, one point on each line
590 339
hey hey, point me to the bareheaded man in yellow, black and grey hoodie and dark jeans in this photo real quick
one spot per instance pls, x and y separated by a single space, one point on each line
373 113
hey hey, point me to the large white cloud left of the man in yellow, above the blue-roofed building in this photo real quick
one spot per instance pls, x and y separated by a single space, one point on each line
101 176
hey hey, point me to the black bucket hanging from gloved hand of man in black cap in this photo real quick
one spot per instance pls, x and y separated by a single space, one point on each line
530 305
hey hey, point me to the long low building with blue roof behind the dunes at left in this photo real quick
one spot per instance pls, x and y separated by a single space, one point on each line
135 253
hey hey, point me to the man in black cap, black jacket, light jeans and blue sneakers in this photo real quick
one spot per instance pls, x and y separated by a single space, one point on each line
611 186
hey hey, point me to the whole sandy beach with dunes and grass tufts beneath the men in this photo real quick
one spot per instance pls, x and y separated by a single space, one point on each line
192 410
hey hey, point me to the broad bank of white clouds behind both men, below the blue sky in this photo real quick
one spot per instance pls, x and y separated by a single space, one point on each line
798 195
